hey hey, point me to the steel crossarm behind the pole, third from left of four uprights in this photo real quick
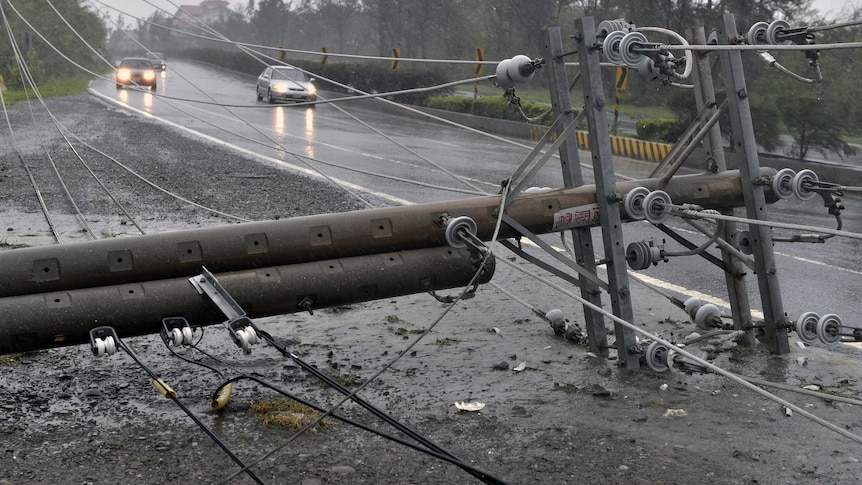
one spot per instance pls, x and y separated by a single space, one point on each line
734 275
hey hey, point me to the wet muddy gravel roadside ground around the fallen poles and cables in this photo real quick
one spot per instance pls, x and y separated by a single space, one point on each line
567 417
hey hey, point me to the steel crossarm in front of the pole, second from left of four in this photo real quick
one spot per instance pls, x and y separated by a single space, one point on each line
609 209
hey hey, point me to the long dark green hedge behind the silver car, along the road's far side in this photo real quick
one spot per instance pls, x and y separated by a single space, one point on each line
368 77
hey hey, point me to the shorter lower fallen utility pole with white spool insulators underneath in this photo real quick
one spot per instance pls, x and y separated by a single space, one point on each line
41 321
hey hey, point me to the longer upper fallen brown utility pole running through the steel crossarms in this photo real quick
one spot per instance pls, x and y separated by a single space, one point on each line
238 247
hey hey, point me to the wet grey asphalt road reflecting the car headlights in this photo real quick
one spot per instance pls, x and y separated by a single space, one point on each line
824 278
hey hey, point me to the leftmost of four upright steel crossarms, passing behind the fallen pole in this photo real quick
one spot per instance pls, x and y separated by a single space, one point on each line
572 177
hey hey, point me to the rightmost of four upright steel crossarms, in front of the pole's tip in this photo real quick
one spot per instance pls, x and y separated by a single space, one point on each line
753 194
